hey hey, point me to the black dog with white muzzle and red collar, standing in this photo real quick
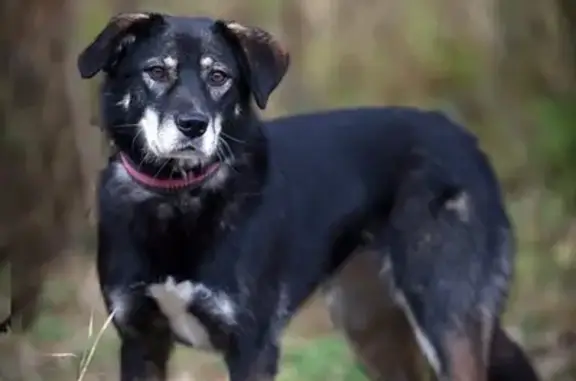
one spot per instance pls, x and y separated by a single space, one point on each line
214 228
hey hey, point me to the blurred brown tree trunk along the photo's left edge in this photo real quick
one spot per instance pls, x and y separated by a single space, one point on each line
39 167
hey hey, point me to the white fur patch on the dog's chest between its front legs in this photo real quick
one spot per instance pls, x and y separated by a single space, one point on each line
174 299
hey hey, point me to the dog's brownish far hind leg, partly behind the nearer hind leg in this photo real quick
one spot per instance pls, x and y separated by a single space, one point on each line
376 329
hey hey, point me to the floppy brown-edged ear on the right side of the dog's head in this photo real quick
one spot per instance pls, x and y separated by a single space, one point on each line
264 60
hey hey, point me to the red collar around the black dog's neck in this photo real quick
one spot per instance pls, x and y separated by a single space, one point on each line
189 181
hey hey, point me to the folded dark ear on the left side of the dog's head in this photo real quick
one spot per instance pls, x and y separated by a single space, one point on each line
101 52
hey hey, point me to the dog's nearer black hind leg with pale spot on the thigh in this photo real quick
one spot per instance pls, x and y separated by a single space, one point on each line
449 262
